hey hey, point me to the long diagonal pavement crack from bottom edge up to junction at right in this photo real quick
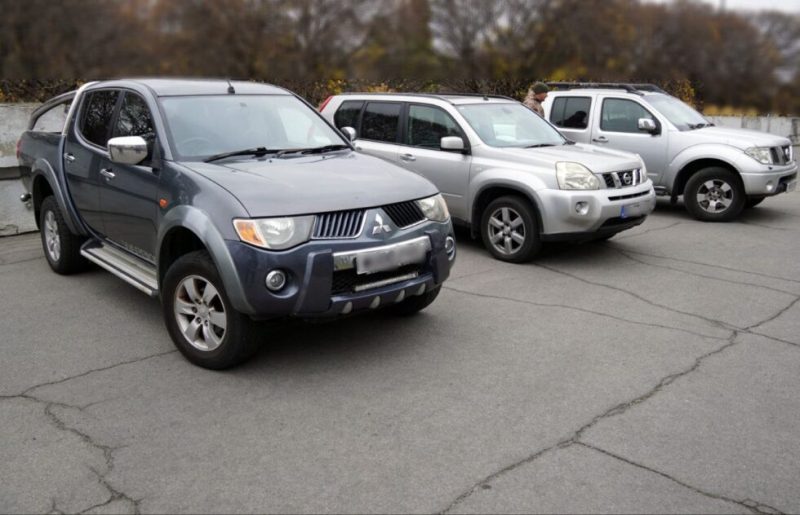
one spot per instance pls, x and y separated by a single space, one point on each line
574 438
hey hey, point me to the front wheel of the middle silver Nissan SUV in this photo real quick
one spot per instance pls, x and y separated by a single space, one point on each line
504 218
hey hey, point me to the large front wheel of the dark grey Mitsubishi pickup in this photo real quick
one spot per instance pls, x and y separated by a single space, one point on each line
200 318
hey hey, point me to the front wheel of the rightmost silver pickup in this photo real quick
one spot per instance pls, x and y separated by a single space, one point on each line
714 195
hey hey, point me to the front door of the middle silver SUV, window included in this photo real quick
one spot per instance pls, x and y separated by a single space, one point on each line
424 127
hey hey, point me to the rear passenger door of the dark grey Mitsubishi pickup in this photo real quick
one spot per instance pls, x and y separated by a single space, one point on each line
85 153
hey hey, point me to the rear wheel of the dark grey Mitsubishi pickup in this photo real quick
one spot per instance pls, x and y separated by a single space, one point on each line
62 249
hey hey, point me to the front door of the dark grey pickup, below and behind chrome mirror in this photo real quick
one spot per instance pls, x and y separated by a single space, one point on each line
128 196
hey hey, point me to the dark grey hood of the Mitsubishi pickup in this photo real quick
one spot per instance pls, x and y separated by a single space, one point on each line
314 184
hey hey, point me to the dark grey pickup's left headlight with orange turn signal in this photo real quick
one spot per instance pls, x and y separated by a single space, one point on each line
275 233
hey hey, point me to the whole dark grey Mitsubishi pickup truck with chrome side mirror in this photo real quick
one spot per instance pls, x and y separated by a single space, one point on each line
233 202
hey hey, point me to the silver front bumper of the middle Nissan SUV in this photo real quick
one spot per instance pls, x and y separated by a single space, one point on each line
605 211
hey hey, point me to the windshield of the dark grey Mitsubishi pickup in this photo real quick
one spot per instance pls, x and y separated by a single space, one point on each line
208 125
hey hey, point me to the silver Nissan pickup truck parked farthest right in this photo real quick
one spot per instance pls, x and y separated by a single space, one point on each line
719 171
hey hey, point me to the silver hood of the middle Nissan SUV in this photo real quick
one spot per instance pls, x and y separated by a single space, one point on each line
597 159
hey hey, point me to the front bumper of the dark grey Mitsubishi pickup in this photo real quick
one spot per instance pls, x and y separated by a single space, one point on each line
322 283
